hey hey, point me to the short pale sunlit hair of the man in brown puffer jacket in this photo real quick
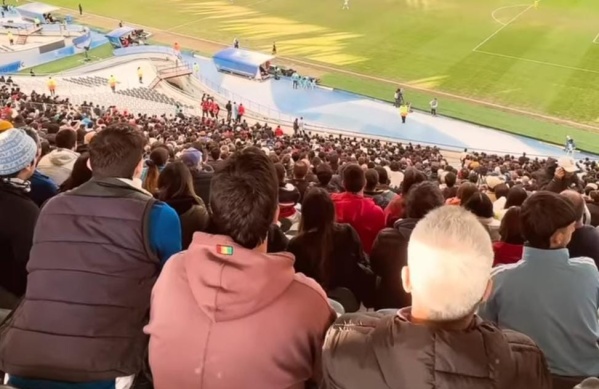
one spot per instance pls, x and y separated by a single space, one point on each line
450 257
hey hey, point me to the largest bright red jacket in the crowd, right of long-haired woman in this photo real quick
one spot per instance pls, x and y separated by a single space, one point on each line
362 214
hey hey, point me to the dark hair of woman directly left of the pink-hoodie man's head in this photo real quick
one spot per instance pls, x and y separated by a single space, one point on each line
175 181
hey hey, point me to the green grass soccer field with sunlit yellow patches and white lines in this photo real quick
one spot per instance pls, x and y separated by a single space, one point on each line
541 59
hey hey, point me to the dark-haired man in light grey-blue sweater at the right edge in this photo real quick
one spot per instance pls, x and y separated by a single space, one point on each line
561 320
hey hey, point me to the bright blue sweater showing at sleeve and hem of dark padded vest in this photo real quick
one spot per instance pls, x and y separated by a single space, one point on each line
165 240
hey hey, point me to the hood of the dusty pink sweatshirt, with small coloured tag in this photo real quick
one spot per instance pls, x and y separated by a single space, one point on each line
229 287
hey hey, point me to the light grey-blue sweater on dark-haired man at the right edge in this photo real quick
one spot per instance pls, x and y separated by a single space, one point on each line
553 299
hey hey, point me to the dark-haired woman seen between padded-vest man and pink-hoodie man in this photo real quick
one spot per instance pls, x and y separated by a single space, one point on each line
175 188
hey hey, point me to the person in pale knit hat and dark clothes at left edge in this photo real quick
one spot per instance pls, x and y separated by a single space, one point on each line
18 153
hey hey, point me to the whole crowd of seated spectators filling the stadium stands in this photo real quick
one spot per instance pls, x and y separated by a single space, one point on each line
145 251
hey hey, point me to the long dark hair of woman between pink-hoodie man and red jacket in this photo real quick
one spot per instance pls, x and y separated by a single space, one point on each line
318 218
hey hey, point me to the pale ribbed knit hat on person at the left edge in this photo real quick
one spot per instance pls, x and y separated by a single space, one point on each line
17 151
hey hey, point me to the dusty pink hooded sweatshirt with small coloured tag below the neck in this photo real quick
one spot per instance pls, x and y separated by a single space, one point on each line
243 320
